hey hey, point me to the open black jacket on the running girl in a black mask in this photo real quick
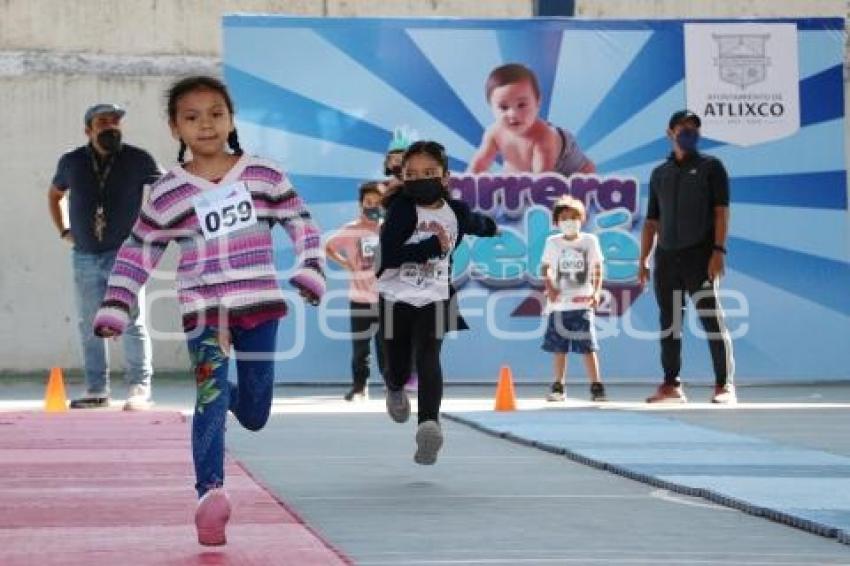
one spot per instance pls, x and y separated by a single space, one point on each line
399 226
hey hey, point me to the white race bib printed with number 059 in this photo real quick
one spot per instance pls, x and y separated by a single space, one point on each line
225 210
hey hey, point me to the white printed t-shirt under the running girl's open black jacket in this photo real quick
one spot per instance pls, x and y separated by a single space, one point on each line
419 284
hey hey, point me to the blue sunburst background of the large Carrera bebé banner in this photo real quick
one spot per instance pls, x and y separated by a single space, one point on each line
323 96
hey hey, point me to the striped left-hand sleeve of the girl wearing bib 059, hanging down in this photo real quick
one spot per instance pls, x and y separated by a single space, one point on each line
138 257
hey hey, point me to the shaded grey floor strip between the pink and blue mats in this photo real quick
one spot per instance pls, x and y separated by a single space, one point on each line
488 501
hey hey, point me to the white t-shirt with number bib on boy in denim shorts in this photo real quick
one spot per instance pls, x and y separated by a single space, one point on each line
571 264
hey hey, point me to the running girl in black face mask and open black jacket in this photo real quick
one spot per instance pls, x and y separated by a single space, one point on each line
418 305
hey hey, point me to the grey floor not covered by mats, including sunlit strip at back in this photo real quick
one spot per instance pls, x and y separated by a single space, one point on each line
348 470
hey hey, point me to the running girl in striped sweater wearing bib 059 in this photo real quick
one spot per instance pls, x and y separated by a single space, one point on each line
219 208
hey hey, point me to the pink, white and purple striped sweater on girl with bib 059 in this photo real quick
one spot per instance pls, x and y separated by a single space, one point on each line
233 275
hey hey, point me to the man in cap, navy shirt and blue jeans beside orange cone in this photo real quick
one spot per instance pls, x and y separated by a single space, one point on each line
104 181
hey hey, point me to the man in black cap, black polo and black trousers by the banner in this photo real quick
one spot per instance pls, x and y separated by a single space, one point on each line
688 219
